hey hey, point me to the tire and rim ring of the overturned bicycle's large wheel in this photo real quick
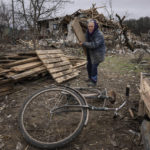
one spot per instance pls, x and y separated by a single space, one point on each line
63 141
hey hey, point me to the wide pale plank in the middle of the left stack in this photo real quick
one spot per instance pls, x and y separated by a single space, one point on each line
26 66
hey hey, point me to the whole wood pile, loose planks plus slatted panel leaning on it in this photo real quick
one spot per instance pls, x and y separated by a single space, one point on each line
14 68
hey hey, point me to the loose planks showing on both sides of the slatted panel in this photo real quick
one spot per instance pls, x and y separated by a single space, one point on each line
22 66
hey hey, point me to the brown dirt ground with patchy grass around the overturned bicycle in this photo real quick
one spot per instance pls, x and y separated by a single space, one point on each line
102 131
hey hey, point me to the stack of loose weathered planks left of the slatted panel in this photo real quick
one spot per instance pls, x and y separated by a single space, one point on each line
16 67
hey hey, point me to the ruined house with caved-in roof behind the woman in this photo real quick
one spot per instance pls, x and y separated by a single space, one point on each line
60 29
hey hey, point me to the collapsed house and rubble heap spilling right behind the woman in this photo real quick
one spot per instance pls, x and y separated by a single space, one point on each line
116 34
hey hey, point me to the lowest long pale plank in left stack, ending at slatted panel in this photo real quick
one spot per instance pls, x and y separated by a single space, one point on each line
29 72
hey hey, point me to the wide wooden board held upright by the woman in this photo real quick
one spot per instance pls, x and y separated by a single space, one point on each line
78 31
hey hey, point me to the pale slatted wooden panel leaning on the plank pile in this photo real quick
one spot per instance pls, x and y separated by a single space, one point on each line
57 64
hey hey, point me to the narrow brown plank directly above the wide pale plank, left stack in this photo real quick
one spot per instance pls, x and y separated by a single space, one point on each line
22 61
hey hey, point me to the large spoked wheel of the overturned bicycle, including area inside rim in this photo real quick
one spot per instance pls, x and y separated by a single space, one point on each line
46 129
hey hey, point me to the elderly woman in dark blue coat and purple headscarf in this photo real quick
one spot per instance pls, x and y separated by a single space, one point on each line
95 47
